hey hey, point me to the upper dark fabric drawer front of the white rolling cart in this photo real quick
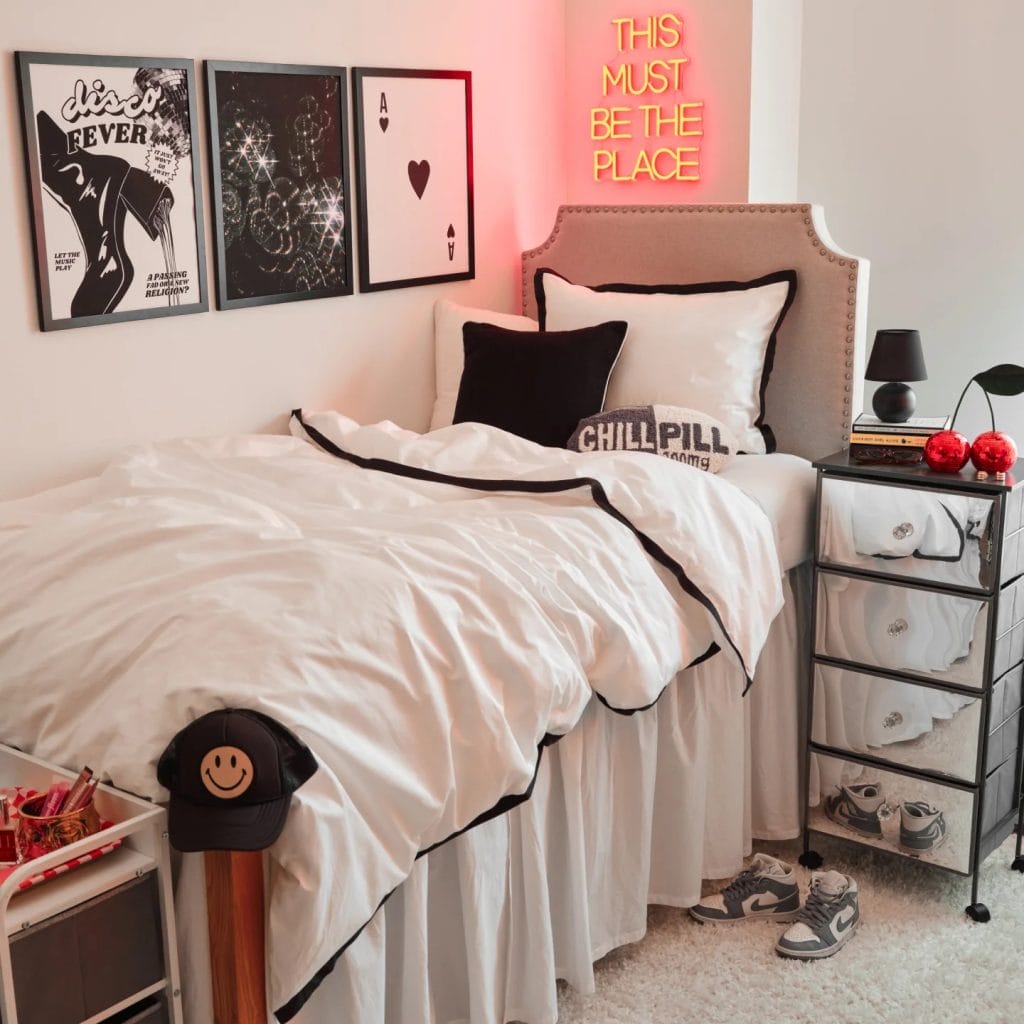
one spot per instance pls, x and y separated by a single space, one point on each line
116 938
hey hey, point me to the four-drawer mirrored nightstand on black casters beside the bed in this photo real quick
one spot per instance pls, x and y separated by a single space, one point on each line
918 658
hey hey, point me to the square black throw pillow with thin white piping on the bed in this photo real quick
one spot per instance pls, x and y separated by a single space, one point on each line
537 385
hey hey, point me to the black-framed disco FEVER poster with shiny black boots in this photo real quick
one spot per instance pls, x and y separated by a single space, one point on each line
115 185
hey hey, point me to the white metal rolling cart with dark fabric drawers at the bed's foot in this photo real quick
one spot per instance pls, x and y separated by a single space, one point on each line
96 946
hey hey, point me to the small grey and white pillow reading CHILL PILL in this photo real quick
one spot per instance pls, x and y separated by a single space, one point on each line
681 435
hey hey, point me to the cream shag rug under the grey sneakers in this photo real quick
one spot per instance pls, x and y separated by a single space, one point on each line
916 958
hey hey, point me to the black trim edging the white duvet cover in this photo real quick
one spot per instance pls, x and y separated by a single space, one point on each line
507 803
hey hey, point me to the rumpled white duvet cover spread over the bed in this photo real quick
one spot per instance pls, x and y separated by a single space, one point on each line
422 638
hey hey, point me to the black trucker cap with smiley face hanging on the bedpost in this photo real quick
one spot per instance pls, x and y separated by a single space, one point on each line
232 775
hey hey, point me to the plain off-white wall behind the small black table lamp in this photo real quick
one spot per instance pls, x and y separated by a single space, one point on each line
911 138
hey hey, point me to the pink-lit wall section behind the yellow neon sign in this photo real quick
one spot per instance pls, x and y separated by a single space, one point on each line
696 53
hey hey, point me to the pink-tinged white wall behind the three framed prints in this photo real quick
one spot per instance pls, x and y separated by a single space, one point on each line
69 399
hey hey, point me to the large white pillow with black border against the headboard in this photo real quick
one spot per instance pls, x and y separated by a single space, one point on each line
708 347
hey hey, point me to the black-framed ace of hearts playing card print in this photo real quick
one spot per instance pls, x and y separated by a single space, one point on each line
414 144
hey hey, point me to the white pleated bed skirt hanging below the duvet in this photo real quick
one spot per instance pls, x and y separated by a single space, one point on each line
627 810
